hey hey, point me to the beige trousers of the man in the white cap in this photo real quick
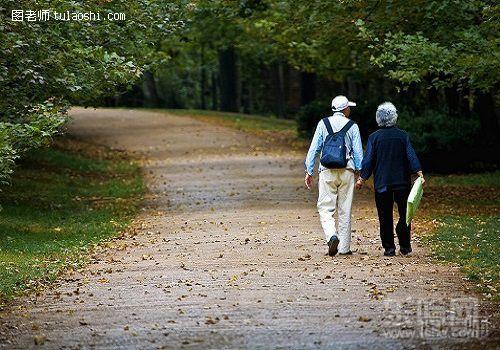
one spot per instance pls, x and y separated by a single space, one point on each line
336 190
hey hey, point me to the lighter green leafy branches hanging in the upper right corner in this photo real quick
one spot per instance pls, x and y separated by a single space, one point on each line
444 43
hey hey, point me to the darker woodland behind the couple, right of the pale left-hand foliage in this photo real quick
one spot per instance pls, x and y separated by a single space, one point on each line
436 59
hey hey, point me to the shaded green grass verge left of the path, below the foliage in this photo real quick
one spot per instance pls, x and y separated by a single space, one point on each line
62 201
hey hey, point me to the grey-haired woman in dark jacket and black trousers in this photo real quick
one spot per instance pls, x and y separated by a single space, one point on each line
392 159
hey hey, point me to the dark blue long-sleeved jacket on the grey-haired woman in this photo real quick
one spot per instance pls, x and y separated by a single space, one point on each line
391 158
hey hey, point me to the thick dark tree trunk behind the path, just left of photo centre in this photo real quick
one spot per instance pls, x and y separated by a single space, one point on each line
228 80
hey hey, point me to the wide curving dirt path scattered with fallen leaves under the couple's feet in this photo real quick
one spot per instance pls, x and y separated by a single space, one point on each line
229 254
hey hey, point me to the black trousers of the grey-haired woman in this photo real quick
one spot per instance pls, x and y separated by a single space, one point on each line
385 203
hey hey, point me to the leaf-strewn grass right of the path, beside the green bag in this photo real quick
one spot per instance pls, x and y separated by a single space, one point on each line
469 237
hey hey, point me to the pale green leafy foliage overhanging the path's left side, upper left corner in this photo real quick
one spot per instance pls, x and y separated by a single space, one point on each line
48 64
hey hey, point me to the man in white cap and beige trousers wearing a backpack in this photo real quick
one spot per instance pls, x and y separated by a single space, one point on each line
338 139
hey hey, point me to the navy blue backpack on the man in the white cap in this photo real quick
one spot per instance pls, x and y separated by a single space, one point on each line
334 153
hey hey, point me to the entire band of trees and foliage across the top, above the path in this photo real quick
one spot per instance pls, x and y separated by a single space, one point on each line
438 60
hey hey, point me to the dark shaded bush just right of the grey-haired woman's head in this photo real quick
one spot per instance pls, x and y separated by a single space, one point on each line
434 130
